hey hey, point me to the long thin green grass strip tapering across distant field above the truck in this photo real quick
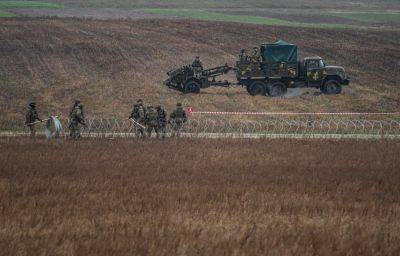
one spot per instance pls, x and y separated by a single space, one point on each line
213 16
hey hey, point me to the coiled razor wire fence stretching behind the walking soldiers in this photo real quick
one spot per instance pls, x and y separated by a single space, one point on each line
256 125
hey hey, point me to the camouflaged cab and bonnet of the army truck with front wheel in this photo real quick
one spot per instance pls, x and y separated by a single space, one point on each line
314 72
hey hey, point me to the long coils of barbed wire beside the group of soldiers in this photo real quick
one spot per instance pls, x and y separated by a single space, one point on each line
114 126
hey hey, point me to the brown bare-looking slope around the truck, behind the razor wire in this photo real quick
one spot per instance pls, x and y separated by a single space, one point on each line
109 64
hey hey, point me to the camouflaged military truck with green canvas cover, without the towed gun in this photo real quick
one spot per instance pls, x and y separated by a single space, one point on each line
278 69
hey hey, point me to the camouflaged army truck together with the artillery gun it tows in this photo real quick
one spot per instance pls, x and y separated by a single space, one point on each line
276 70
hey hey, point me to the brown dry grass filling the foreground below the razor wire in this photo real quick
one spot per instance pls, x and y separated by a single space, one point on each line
207 197
